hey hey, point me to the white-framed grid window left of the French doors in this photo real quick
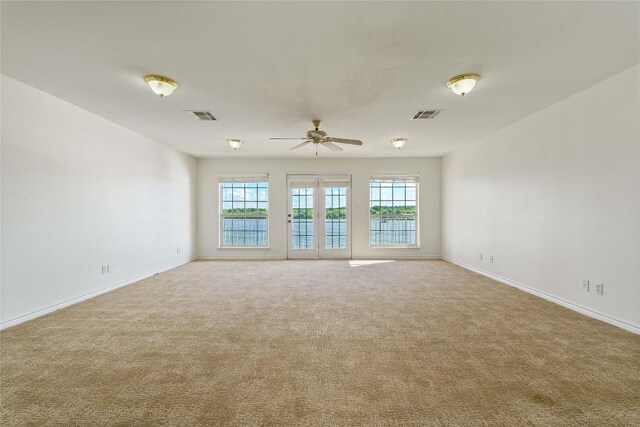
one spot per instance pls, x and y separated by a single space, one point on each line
244 211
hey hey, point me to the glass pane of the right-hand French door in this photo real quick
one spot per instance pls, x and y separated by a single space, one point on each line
335 229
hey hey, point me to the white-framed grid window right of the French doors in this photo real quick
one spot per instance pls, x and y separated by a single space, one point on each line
393 210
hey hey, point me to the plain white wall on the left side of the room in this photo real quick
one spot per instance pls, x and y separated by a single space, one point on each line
80 192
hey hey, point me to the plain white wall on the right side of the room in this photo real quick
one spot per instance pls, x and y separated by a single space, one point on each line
555 199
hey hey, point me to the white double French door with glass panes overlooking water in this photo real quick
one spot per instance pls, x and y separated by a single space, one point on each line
319 216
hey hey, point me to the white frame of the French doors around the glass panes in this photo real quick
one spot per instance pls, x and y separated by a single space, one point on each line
319 251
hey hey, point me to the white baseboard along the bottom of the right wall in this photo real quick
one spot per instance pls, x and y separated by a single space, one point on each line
564 303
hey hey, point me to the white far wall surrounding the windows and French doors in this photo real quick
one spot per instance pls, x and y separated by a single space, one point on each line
360 169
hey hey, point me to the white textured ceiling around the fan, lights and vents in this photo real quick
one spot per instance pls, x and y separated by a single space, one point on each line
269 68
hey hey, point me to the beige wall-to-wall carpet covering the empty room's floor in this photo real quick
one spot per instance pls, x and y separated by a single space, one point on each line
319 343
